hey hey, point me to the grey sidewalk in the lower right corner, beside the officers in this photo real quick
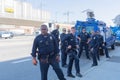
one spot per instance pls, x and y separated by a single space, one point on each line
108 69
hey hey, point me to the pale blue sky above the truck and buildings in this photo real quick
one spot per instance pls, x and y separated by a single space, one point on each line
104 10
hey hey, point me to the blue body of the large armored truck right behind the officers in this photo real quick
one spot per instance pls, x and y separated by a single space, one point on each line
93 24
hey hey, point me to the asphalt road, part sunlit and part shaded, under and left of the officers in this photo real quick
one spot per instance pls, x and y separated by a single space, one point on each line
15 61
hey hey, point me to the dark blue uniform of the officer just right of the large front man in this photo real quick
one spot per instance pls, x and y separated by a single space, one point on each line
73 54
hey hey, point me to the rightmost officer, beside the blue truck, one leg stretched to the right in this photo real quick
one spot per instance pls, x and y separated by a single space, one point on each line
102 45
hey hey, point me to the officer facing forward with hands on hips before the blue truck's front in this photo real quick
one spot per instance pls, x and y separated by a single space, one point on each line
84 38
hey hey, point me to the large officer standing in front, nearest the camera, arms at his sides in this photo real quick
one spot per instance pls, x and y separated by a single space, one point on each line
47 53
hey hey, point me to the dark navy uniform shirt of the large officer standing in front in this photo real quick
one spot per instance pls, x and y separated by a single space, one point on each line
45 44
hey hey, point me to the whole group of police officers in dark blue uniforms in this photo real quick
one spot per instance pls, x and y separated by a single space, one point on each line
46 47
